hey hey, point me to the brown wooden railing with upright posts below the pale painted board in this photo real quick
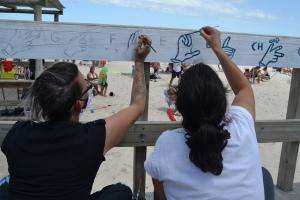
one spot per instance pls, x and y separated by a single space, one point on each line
145 133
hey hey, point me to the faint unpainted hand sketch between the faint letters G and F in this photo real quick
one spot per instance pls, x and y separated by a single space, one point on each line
77 44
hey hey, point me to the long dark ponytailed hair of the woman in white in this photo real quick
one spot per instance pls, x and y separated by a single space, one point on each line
201 99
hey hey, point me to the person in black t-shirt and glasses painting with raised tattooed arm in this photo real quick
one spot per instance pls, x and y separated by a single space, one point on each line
59 158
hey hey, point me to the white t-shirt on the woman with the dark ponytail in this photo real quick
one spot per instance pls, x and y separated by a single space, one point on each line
241 177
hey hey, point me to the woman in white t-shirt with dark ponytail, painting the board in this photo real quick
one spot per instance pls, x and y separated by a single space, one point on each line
215 154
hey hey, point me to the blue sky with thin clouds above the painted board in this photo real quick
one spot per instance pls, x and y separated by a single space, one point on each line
273 17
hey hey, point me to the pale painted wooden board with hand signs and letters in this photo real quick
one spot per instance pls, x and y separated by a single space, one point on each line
48 40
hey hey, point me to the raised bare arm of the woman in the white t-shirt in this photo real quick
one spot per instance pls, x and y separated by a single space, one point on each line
241 87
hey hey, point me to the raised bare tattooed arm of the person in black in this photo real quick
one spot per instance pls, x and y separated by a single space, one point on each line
118 125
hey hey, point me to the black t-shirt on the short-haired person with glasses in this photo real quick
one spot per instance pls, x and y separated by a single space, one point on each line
53 160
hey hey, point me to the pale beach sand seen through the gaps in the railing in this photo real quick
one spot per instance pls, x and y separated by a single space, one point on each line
271 103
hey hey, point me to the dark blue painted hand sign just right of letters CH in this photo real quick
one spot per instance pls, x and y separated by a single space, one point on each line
272 54
